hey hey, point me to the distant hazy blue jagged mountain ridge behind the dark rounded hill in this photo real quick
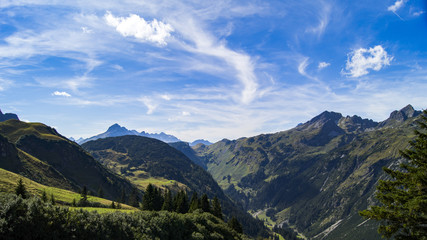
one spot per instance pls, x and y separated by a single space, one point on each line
116 130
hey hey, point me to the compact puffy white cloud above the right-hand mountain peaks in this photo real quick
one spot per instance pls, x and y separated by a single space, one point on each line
360 61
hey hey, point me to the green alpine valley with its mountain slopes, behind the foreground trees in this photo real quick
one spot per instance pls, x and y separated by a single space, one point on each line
311 180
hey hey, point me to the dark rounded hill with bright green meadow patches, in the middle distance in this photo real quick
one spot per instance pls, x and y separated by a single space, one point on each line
145 160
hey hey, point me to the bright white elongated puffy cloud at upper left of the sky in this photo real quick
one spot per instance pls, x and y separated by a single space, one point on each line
136 26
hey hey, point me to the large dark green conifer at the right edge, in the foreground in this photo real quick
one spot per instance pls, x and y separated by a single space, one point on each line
403 209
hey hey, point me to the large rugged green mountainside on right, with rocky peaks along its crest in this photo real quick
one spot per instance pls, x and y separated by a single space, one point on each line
316 176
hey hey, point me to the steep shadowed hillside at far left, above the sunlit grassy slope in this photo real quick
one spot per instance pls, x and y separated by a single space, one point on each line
39 153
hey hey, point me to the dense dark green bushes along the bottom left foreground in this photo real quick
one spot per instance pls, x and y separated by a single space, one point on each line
34 219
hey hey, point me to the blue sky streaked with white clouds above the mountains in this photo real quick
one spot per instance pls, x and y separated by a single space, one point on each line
209 69
